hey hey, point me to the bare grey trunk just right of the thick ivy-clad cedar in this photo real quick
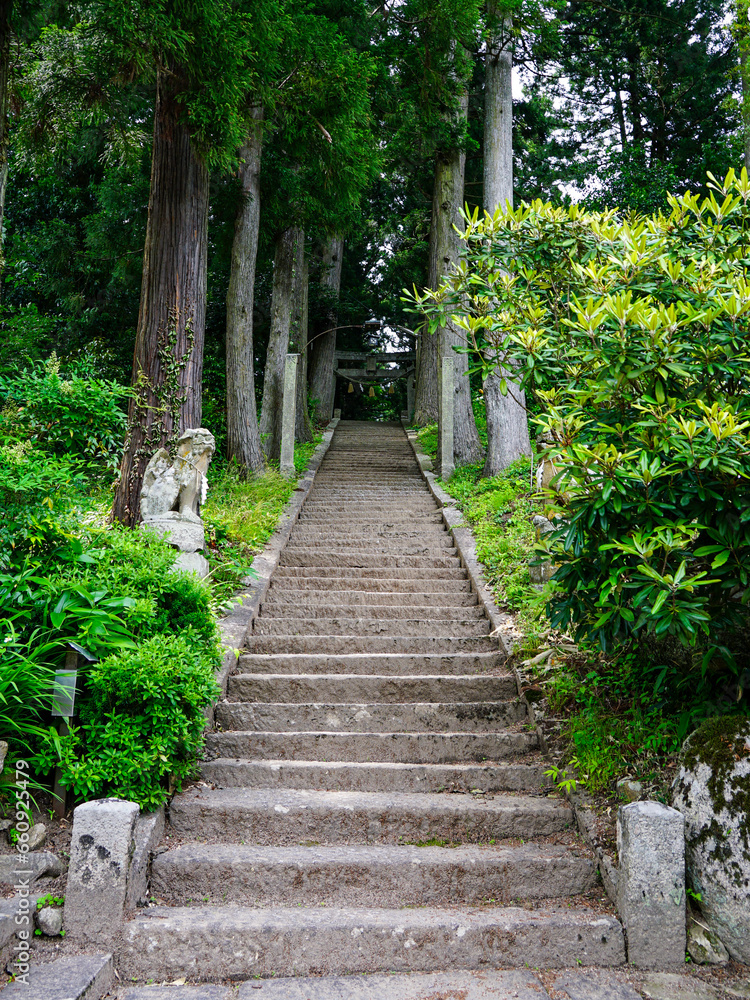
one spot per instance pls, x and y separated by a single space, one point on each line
243 435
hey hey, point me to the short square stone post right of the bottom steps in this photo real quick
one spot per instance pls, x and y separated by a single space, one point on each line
651 883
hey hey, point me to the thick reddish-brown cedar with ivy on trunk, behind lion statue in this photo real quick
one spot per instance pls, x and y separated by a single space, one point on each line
202 58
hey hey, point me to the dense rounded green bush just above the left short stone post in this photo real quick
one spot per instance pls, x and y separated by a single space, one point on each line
141 726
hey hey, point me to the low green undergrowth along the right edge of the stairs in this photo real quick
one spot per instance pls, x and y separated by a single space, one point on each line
620 715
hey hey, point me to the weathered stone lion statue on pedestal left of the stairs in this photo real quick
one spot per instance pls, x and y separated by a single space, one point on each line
173 492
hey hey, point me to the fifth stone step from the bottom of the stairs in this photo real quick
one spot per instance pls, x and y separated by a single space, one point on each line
401 748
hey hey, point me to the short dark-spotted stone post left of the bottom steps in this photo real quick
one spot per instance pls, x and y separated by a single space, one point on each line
101 847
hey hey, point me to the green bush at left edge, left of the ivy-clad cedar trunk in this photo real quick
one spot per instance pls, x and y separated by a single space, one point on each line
75 416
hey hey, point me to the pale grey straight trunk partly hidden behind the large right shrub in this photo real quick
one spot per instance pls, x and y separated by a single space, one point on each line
507 425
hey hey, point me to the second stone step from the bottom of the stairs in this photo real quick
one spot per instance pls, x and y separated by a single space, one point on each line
387 876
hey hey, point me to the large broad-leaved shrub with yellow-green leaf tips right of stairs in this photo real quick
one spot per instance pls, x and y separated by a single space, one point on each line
630 335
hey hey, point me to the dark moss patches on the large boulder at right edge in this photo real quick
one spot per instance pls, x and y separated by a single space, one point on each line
721 743
